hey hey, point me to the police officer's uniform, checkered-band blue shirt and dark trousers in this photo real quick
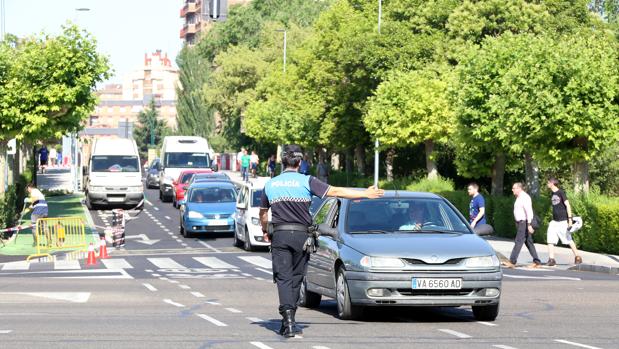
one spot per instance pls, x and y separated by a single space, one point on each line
289 196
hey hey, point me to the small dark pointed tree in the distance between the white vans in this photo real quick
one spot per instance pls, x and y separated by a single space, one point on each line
150 130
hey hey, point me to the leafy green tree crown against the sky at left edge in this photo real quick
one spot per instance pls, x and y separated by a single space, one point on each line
46 84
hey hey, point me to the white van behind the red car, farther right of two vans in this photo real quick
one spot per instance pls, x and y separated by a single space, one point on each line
179 153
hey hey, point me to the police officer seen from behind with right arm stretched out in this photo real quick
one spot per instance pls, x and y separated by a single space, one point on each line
289 196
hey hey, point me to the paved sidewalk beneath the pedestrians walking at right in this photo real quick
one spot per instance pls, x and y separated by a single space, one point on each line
595 262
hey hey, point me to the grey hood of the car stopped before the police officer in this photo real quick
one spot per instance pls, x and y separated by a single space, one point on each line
420 245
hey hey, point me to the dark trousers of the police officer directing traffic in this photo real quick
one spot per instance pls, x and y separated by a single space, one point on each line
289 265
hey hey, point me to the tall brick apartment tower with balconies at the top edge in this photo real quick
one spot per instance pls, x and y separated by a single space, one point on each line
194 23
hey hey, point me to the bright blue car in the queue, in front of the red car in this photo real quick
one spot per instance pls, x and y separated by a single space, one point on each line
208 208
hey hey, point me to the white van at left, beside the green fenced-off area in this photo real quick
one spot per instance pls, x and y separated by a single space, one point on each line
114 174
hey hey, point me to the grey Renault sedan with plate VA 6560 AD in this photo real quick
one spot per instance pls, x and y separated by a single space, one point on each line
406 249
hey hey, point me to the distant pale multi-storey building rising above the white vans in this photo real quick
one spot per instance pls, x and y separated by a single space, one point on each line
120 104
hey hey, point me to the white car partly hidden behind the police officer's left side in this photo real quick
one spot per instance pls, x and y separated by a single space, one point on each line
248 230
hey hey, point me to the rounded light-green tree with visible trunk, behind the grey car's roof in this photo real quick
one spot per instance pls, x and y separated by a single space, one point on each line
412 108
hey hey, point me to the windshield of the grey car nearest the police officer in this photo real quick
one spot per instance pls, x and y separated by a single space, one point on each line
408 215
